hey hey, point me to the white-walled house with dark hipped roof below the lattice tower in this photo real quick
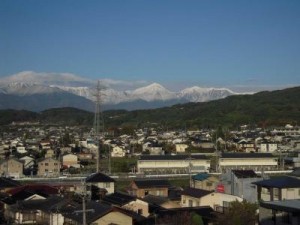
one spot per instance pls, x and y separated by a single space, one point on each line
101 181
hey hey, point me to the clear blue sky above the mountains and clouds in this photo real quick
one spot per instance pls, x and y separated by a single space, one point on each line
208 43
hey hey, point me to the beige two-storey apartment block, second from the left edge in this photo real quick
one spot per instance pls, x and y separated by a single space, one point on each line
48 167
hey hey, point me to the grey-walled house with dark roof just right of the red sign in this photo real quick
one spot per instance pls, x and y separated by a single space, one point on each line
240 183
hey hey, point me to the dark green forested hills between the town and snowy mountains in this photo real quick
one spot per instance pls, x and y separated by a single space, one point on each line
268 108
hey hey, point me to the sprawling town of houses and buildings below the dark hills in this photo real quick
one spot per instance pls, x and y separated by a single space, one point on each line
65 175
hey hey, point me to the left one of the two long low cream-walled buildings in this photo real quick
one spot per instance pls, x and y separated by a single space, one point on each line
173 164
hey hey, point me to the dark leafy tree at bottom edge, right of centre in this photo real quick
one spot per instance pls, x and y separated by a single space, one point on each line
238 213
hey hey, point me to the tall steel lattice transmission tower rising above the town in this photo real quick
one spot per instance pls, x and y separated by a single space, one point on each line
98 126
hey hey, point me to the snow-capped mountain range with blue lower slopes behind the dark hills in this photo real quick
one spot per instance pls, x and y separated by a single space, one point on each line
40 91
